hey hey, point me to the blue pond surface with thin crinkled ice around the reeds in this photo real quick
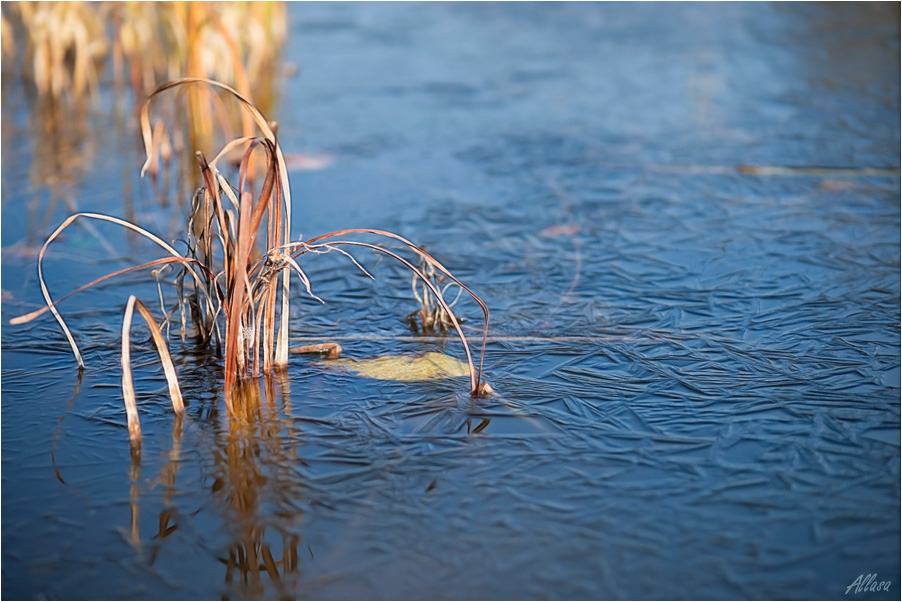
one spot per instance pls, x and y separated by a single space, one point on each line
685 220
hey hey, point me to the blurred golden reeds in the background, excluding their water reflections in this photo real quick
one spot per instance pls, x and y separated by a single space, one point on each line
68 44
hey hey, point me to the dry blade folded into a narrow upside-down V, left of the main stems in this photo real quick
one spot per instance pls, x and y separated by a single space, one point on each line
128 387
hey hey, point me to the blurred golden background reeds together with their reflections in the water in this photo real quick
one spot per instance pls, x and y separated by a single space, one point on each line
63 51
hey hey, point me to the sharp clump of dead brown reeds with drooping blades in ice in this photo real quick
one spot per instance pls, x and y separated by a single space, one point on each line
233 283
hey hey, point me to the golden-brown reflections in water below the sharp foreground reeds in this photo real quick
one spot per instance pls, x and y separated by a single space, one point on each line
248 460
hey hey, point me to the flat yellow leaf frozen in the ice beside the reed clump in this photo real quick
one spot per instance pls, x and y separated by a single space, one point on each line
431 366
